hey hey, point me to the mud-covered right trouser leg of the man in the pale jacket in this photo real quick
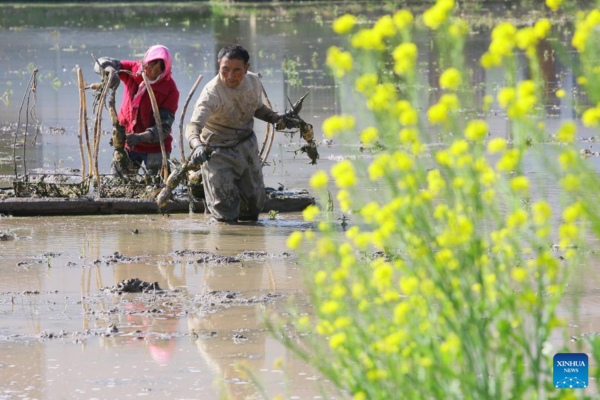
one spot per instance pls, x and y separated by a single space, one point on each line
251 183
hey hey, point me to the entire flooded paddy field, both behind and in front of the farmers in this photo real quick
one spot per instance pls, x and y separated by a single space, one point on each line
66 331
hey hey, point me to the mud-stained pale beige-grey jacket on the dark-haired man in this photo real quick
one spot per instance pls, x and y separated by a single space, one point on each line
224 116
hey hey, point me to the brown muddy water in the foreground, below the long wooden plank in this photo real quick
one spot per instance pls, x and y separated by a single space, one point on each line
173 344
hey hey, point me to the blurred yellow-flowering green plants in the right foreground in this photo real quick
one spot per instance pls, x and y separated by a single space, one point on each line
448 283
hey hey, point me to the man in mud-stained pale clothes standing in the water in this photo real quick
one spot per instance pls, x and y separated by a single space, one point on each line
221 135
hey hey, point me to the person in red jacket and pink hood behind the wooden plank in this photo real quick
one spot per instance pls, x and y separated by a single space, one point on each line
142 140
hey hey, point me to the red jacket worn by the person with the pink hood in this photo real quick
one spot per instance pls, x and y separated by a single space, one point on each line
137 116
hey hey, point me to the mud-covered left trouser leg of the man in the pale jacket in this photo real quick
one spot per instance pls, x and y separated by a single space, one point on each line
219 175
